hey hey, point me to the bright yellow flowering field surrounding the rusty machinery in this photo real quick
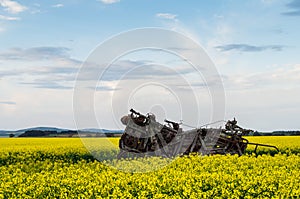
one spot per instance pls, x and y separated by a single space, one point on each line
63 168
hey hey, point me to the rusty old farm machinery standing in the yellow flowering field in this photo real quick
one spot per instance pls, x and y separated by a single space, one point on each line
144 137
